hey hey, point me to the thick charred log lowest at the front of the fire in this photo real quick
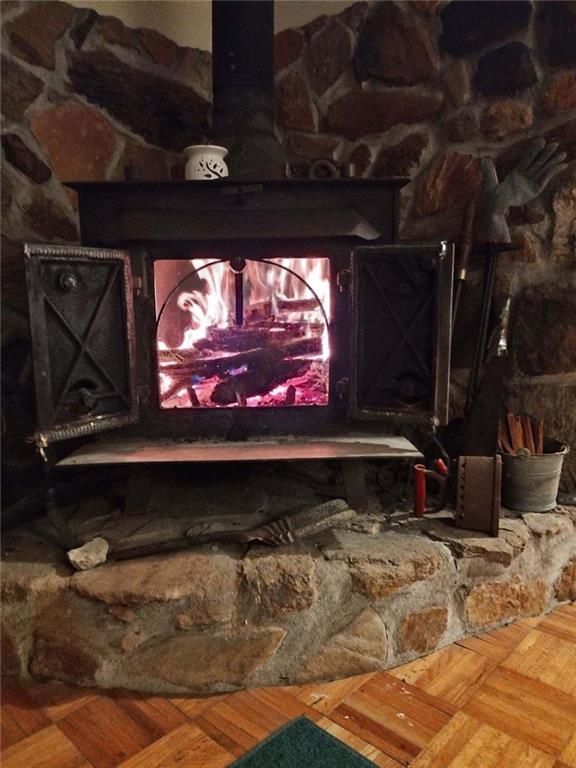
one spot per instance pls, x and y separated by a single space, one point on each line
257 381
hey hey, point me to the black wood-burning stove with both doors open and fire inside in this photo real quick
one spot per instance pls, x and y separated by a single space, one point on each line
235 311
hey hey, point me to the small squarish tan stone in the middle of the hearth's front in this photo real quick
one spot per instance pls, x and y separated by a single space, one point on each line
280 584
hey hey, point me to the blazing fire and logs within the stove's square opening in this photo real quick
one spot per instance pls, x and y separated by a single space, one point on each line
258 339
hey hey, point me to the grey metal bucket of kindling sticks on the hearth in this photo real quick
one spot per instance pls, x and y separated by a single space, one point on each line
530 483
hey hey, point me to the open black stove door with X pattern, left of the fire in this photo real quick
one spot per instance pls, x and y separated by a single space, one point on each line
82 333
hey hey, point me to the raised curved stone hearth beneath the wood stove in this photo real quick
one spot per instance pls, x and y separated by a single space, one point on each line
217 618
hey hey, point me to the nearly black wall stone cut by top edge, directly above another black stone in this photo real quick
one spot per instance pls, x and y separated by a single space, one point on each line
469 25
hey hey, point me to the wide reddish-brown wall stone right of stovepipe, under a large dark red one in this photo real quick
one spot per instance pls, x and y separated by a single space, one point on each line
360 113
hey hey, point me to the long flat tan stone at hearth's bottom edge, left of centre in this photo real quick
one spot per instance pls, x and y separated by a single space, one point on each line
206 662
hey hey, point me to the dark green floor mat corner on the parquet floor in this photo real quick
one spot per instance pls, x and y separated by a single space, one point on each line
301 744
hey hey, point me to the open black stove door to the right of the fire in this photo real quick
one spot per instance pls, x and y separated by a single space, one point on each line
401 332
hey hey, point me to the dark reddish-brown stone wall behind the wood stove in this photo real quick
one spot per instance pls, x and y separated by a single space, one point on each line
418 88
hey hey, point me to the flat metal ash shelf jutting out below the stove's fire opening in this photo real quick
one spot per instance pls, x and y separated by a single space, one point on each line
148 451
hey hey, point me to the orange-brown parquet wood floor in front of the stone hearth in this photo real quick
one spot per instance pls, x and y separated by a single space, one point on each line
506 699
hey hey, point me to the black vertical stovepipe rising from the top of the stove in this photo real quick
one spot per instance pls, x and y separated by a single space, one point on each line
243 74
